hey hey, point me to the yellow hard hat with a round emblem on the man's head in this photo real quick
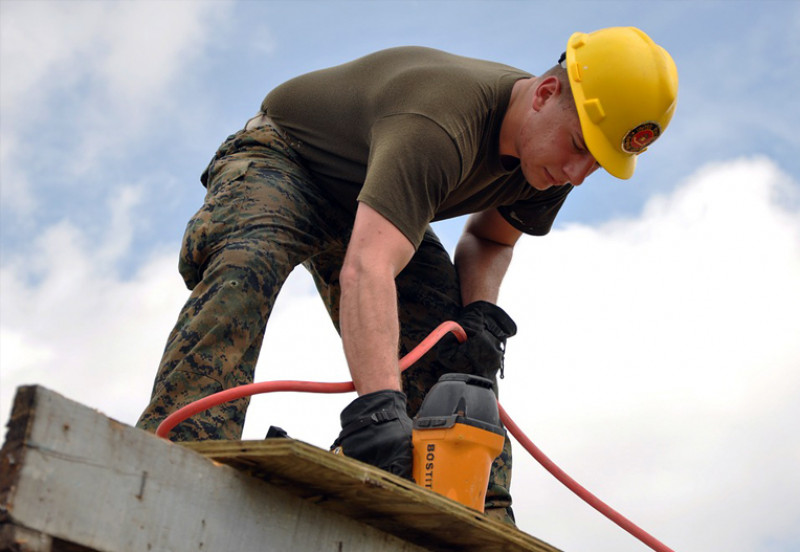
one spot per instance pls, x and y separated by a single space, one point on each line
625 88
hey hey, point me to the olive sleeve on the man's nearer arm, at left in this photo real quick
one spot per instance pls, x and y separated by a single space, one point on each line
413 165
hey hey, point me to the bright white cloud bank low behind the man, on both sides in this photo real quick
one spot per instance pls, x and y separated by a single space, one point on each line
657 359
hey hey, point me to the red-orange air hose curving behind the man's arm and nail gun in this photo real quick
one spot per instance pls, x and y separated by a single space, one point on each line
413 356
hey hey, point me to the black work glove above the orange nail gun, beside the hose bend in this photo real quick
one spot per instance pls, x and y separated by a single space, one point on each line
487 326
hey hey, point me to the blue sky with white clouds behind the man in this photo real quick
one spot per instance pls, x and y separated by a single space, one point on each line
658 354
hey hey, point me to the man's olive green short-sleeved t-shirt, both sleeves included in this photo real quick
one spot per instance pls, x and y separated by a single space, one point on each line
414 133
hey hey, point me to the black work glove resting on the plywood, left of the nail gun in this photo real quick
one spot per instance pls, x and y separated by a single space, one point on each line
376 429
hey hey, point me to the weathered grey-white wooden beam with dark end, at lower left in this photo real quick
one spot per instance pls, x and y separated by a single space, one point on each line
77 480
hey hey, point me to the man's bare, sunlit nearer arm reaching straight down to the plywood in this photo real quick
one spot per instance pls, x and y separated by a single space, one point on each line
368 316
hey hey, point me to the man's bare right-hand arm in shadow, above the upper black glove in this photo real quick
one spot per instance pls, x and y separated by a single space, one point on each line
483 255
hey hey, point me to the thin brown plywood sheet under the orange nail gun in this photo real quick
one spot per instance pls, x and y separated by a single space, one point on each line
370 495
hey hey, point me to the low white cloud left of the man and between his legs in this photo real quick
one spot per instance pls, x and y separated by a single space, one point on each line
71 322
